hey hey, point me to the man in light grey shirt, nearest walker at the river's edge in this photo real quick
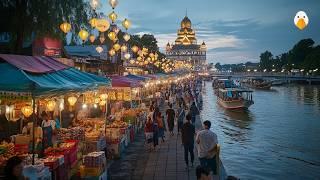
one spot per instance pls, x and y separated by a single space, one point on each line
207 147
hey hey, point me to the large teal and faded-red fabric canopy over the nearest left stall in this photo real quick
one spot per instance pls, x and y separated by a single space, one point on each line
43 75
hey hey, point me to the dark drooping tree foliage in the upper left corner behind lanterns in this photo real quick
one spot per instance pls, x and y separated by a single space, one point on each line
29 19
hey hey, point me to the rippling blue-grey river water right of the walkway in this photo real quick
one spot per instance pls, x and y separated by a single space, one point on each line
277 138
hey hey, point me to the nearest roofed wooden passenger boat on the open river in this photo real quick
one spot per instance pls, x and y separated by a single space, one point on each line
234 98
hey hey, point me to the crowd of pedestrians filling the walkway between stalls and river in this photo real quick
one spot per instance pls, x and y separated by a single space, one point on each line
179 106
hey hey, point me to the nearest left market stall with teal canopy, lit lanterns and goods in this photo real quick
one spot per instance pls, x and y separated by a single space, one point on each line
40 84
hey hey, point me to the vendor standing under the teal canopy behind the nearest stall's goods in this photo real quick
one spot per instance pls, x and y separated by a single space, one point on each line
48 127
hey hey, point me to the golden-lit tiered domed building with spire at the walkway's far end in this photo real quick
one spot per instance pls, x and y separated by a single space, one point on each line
186 47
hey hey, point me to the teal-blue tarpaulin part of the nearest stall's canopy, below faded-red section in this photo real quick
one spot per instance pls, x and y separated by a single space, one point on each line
15 79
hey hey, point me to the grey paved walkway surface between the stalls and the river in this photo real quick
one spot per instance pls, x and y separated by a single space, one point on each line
166 163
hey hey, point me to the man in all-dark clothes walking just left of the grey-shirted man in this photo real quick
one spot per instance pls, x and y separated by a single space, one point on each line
188 132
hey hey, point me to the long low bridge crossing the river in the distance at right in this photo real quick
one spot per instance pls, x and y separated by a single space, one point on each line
268 76
